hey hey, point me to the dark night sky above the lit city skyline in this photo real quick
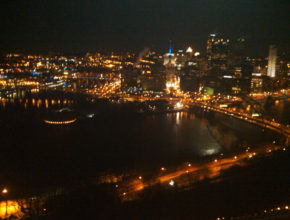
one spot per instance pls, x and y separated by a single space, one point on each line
74 26
